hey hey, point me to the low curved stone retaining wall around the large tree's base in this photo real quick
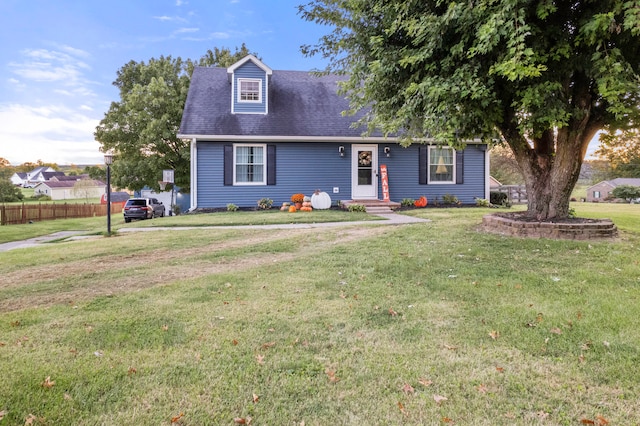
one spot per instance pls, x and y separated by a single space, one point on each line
585 230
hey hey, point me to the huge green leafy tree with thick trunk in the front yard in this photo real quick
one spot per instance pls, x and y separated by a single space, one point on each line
541 75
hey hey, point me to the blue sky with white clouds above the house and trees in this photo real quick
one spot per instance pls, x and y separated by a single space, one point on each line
59 58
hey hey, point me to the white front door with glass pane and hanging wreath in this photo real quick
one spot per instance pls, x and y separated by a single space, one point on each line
364 172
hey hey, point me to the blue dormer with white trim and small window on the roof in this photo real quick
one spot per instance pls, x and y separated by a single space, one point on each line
249 79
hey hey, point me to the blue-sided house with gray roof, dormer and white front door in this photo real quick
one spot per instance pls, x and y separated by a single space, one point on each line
257 133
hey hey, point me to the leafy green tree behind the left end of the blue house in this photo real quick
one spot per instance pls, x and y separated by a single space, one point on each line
141 127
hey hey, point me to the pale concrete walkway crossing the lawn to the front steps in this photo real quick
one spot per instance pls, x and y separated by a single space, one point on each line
390 219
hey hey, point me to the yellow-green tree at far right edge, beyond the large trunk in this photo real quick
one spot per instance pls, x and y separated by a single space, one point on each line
622 150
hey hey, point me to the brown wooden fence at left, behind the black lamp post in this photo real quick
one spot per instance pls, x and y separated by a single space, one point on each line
13 214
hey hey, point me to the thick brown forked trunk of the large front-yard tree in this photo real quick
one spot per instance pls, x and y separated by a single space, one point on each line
551 166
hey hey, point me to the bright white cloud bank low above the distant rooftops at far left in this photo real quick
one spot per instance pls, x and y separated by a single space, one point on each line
48 133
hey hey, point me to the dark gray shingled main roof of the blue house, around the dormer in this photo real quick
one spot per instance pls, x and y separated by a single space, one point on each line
300 104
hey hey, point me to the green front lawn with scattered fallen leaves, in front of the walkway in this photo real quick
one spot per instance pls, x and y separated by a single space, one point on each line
431 323
